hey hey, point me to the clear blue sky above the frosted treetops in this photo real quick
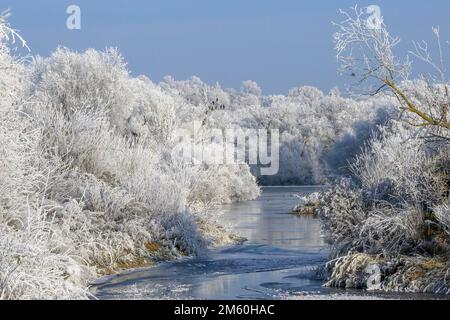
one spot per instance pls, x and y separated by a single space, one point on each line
279 44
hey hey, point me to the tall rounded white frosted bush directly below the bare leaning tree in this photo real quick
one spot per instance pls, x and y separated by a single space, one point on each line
385 167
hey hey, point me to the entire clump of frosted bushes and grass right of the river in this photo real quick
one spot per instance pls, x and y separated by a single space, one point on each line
397 211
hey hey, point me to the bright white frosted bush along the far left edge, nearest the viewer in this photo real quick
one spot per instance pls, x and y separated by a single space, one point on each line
32 265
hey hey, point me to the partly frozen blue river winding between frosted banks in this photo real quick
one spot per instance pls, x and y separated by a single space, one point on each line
276 262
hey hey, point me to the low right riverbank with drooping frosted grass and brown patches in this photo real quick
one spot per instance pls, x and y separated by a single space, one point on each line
378 247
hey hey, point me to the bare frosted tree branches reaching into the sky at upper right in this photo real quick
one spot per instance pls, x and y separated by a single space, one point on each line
366 51
